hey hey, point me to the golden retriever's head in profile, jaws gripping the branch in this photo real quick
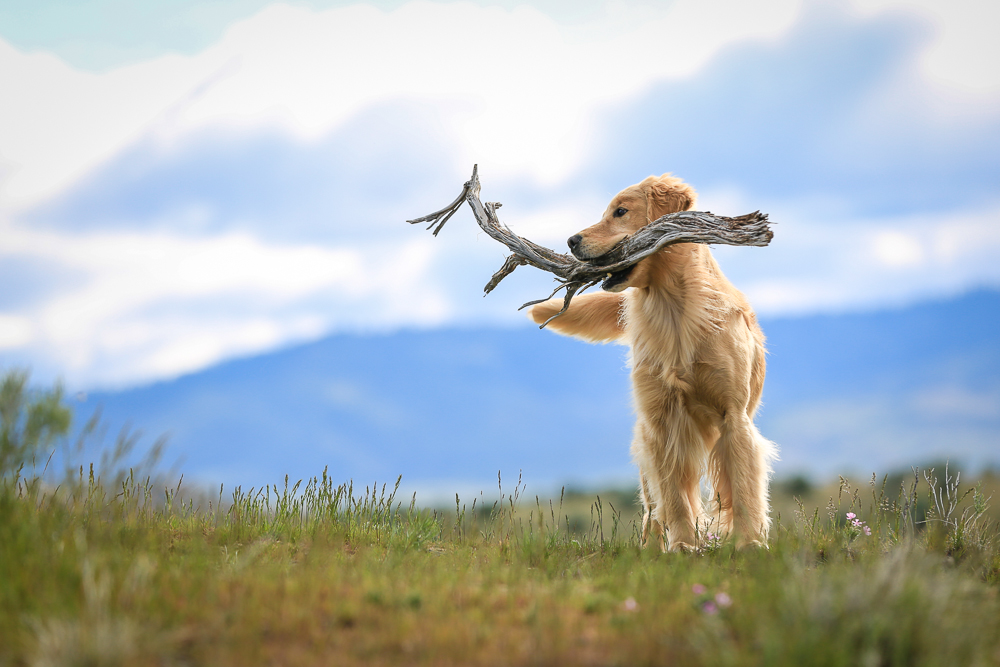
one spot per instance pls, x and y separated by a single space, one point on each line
630 210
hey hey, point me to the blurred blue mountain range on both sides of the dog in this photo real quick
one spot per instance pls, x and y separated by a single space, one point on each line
447 409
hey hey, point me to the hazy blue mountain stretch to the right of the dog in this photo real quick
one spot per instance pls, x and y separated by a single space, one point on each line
889 389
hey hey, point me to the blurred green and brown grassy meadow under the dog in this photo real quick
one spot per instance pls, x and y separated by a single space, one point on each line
112 566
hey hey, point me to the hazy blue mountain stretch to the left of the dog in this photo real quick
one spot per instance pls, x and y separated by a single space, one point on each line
438 405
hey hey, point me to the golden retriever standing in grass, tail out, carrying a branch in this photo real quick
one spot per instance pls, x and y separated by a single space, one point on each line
697 366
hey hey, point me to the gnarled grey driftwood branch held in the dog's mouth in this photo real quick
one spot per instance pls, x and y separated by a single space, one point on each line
575 276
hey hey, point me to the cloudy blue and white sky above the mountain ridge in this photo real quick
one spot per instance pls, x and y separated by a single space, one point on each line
184 182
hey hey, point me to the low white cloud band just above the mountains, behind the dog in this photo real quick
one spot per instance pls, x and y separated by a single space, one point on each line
151 306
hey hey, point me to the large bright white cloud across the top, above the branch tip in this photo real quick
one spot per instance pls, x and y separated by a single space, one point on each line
519 88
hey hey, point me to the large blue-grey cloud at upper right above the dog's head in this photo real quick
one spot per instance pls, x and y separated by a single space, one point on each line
834 111
